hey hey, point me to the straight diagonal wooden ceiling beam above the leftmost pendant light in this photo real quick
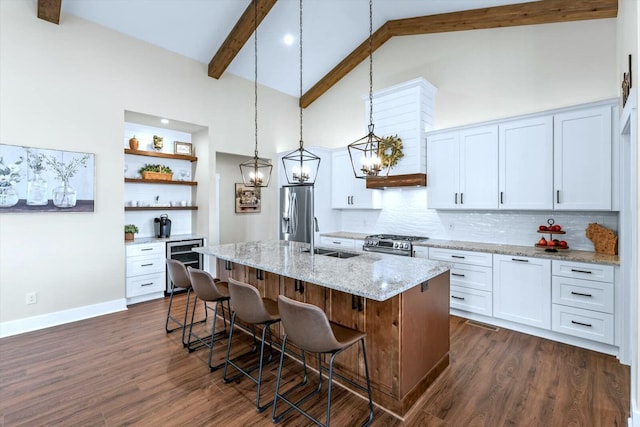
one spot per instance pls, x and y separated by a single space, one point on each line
238 37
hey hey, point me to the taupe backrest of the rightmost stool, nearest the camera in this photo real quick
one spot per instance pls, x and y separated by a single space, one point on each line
307 326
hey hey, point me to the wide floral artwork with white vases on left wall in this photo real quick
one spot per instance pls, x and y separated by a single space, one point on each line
44 180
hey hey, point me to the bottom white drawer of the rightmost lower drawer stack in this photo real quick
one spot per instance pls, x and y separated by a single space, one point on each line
582 323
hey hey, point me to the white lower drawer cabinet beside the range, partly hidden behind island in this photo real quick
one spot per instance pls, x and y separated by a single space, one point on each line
470 277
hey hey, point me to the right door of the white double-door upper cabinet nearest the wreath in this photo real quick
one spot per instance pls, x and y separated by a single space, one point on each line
479 168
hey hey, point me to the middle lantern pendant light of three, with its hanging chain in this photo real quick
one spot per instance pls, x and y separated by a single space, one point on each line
301 166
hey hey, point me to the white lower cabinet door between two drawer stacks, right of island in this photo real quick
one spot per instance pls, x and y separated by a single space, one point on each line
522 290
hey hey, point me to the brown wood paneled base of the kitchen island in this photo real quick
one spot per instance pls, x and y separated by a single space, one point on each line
407 334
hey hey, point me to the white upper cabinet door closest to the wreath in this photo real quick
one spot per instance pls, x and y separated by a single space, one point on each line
443 170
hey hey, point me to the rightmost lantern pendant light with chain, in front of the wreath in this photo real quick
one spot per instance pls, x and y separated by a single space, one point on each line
366 152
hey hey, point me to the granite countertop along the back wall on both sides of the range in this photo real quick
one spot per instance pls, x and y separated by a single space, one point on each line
496 248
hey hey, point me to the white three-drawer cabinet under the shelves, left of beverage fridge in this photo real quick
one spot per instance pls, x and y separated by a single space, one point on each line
145 271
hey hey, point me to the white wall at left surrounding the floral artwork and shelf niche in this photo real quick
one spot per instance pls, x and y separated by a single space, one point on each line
67 87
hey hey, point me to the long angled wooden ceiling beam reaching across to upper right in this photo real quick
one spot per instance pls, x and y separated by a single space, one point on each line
531 13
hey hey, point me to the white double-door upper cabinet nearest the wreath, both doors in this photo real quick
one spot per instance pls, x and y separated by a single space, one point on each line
463 169
